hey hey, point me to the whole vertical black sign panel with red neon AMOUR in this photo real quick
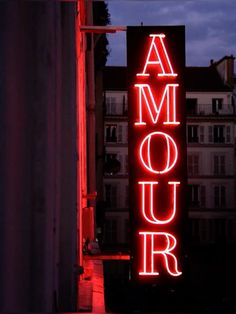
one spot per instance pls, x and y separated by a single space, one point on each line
157 149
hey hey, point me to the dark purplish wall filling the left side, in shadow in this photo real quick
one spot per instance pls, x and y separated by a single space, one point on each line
38 157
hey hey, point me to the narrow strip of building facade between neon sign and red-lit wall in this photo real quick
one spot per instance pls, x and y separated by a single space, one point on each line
116 188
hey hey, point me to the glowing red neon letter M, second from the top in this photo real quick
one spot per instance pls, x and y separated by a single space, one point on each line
153 111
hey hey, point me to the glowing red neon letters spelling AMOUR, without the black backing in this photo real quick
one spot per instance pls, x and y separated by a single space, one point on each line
157 105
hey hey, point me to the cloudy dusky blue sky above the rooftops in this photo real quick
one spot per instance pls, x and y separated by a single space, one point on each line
210 26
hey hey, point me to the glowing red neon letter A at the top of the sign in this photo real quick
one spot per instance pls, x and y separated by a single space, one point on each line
157 56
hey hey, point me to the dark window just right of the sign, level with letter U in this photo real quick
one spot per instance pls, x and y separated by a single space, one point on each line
196 195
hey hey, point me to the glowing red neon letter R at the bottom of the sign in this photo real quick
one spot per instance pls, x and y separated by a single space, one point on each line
160 244
